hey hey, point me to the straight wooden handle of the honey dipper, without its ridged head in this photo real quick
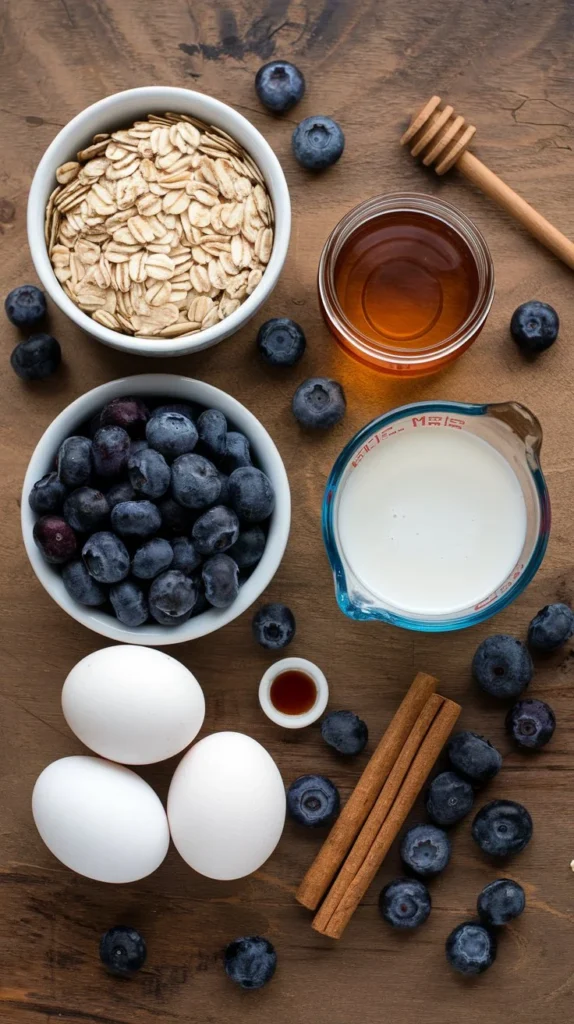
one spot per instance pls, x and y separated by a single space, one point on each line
493 186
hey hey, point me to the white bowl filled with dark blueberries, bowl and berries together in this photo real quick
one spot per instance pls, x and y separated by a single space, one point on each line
156 509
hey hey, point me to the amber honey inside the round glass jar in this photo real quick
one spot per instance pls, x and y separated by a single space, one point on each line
407 280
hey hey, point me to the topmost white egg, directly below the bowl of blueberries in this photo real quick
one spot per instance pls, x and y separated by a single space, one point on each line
134 705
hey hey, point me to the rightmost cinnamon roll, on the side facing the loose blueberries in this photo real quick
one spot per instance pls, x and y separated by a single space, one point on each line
414 783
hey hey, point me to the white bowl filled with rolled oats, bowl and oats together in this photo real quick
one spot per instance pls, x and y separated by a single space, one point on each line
159 221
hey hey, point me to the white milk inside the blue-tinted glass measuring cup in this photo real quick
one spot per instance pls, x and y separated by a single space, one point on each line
432 522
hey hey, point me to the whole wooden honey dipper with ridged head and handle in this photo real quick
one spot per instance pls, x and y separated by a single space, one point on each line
441 138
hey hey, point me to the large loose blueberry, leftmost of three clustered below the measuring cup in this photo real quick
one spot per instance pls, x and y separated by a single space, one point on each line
503 667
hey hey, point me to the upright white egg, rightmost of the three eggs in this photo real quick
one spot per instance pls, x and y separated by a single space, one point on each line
227 806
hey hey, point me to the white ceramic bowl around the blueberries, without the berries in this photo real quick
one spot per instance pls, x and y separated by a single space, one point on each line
180 389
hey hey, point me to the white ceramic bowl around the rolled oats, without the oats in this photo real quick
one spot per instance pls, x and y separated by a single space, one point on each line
121 110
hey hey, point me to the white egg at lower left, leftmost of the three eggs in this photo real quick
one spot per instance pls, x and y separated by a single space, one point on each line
101 820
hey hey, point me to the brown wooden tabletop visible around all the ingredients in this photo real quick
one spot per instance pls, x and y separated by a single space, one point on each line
509 68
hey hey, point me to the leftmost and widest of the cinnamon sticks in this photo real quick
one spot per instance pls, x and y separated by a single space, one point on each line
358 808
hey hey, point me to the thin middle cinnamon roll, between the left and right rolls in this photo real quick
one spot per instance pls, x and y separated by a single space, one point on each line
379 814
